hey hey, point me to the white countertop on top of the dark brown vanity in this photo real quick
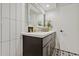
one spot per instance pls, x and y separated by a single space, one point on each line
37 34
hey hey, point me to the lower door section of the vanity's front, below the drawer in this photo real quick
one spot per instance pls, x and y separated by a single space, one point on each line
49 48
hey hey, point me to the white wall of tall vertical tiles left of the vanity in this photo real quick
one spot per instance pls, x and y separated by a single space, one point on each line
11 26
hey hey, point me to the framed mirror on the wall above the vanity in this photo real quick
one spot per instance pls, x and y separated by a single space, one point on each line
35 16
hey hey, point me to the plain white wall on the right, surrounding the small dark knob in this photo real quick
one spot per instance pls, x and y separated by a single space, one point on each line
68 21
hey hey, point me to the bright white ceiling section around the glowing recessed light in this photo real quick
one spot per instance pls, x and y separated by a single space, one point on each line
47 6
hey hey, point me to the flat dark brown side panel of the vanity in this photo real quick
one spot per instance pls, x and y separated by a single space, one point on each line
32 46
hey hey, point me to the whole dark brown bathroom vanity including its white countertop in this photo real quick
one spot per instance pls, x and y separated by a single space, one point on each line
38 43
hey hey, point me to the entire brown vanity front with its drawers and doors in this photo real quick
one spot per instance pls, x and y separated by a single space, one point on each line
50 45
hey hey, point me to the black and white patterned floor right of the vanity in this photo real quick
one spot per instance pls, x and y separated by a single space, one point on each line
58 52
